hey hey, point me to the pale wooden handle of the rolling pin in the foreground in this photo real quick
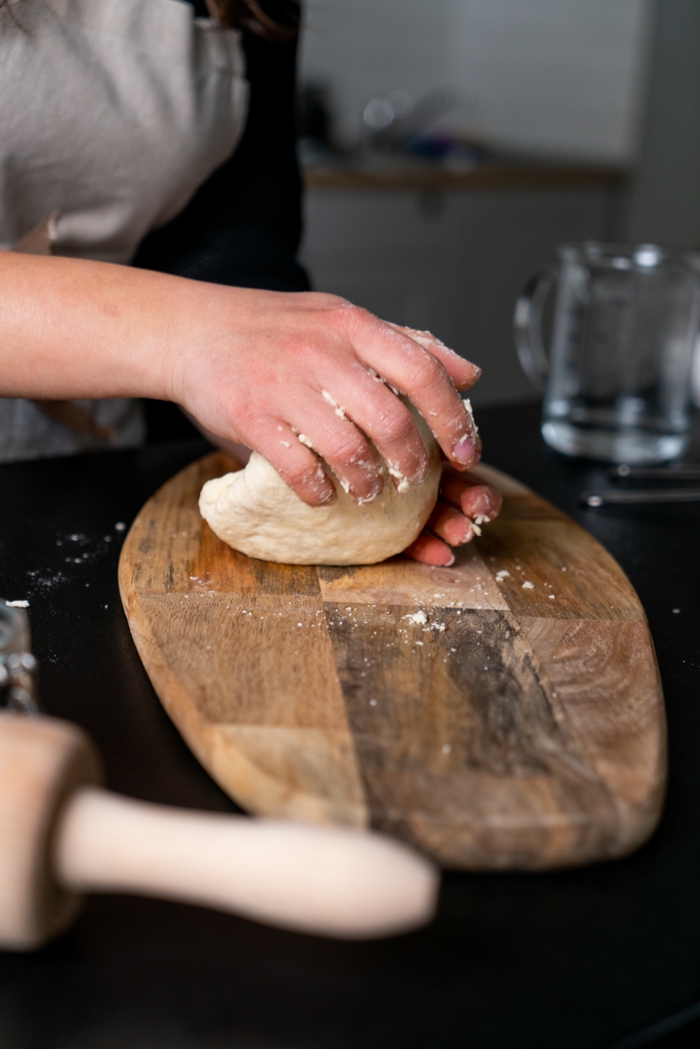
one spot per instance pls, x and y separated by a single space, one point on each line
333 882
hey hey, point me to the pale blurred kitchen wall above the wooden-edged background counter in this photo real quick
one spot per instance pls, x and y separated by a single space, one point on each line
550 77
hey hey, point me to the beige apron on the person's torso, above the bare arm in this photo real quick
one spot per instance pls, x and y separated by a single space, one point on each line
113 113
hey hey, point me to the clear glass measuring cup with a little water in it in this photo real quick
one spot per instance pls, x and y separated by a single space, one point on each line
618 378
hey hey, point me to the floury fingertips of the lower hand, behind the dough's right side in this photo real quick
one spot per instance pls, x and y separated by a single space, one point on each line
463 501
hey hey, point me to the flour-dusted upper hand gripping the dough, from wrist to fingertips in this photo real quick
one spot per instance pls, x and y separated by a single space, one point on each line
298 375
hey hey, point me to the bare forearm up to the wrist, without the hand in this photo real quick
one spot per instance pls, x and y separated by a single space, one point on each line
73 329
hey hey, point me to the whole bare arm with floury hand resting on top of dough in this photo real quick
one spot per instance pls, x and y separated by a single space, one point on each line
259 368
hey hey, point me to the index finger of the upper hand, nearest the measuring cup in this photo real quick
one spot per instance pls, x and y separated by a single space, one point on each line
416 372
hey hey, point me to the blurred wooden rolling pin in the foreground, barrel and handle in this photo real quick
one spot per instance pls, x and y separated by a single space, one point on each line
61 834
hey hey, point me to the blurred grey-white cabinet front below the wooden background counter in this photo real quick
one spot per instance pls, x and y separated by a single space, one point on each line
455 268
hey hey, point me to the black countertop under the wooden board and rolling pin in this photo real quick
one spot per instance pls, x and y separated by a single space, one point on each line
578 959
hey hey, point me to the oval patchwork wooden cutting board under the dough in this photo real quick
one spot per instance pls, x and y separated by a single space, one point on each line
496 721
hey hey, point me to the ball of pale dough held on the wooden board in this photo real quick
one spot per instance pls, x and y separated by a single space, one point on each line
258 513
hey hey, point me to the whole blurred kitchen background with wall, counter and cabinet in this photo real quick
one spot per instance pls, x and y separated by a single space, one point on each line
450 145
